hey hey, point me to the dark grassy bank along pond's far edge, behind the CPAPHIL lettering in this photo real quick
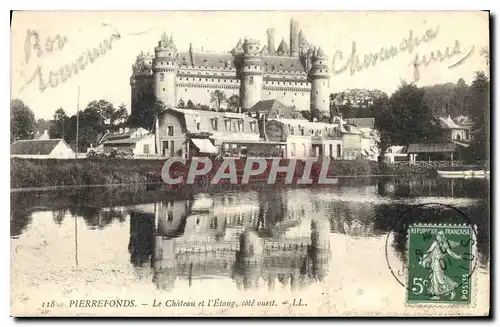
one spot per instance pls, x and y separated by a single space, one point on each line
51 174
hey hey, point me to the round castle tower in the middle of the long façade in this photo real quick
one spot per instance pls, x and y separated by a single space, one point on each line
251 74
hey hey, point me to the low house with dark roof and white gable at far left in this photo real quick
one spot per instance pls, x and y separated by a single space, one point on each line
41 149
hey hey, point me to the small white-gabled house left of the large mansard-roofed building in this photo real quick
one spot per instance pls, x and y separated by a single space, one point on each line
141 146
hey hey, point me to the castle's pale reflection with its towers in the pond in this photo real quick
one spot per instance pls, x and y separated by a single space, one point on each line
256 238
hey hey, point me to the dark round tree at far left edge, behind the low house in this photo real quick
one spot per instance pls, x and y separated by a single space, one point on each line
22 121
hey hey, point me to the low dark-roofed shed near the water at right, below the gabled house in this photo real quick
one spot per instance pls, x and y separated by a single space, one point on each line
433 152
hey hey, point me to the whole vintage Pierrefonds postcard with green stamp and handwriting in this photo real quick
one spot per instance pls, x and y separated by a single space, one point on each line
250 163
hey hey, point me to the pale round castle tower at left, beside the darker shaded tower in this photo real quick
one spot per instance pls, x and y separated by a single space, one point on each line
165 71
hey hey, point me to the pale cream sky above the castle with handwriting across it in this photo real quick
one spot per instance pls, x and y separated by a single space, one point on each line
457 36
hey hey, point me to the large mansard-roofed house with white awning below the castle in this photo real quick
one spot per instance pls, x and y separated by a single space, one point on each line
188 132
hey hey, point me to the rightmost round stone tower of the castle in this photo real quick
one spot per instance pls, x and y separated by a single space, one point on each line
319 76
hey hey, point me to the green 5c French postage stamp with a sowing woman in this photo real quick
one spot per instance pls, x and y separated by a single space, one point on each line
441 261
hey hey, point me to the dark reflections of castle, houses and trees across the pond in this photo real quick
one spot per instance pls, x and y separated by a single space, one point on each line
255 237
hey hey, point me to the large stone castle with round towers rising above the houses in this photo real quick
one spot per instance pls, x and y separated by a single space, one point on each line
296 75
